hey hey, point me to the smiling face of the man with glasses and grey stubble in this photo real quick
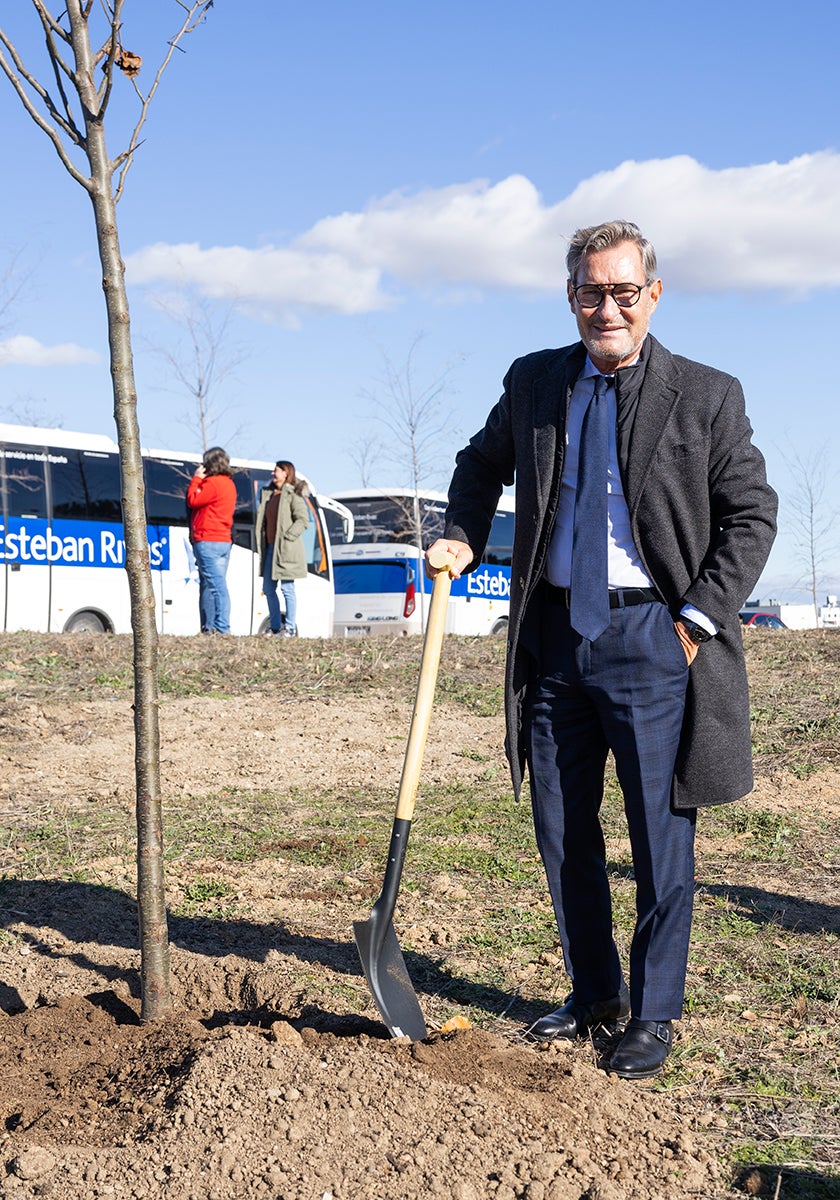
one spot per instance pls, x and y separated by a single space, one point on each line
614 335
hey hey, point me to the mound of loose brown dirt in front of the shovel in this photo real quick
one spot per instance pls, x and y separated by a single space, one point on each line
105 1107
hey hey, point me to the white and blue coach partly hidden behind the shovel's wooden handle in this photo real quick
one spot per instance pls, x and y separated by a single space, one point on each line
380 579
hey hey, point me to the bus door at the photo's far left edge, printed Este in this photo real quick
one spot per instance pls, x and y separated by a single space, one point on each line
25 539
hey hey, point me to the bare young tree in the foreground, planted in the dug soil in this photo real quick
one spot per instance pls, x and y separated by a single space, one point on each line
74 115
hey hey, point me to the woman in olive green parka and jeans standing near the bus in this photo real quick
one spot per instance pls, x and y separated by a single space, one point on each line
281 519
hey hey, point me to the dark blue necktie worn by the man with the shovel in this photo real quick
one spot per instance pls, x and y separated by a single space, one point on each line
590 599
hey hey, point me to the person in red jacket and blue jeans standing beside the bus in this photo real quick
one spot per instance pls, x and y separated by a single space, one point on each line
212 497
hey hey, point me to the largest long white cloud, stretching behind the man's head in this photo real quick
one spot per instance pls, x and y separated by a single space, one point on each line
770 226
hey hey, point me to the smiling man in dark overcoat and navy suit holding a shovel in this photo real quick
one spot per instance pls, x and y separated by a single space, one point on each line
625 632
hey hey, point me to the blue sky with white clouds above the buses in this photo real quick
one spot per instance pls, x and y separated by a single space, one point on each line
350 181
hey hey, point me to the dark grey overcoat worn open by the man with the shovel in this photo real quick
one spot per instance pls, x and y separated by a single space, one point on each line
703 517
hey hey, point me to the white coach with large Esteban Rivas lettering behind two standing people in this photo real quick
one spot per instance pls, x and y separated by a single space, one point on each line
63 554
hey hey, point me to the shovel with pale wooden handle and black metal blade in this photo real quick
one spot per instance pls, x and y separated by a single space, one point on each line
376 941
